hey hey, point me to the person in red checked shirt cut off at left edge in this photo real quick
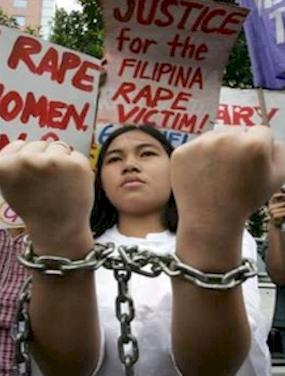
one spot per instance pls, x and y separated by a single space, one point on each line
12 276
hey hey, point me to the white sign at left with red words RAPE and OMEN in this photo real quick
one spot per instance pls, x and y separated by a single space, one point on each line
47 92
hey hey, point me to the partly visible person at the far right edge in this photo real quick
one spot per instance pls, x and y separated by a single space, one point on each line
275 258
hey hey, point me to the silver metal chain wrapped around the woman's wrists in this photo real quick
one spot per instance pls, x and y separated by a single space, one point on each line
126 261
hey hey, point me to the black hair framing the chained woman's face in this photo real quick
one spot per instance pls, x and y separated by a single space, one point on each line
104 215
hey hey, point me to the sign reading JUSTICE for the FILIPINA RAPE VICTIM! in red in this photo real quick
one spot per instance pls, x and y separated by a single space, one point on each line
165 61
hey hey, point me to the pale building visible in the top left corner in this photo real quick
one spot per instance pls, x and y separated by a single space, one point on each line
31 13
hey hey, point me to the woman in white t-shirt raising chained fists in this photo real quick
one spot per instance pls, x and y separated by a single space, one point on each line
209 329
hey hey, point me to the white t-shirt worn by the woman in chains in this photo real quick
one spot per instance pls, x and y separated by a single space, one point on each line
151 325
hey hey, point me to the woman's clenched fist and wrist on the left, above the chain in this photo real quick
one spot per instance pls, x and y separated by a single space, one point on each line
51 188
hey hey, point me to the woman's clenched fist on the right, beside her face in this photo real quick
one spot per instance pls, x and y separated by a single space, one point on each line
220 178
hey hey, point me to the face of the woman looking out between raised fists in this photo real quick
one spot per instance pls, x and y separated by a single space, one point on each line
136 174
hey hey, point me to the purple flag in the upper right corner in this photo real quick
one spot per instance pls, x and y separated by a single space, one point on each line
265 34
